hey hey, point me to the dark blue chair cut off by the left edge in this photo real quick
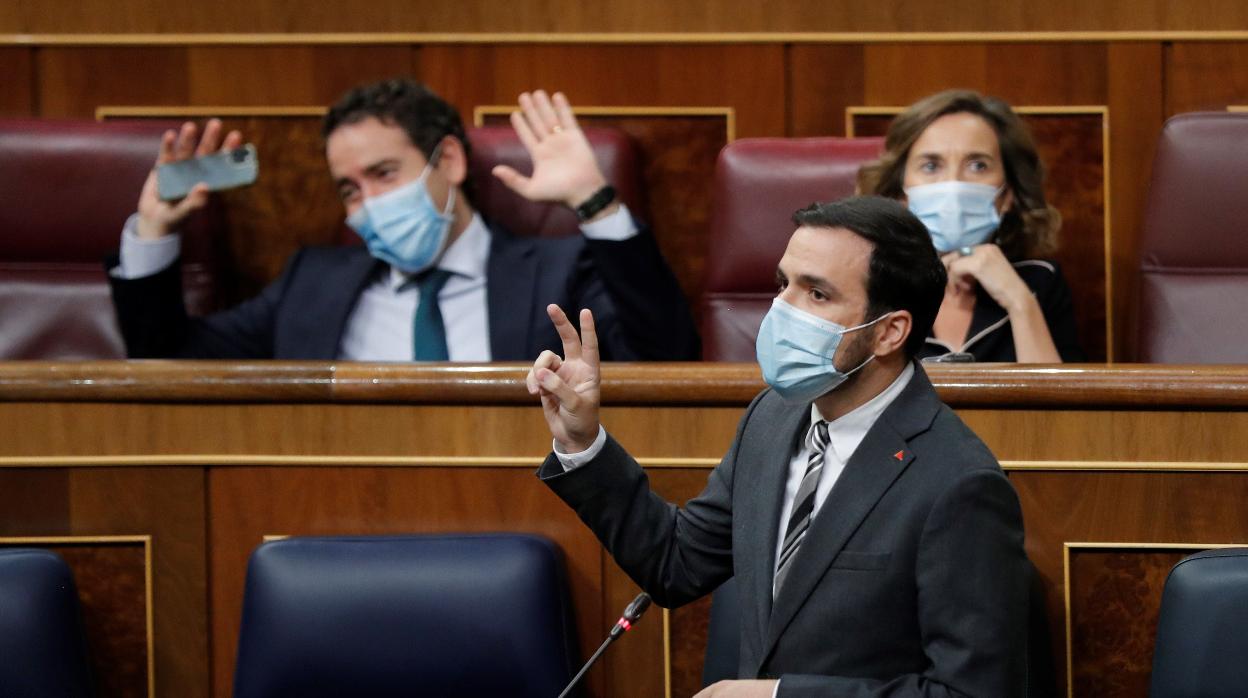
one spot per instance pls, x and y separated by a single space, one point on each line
43 652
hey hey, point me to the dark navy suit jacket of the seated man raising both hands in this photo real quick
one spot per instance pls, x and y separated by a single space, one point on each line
638 307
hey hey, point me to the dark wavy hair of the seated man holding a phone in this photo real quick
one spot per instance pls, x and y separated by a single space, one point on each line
400 102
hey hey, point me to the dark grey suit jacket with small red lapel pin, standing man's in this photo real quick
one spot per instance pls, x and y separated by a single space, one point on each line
912 581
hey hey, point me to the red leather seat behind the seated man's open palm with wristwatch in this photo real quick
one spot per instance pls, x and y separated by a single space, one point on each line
618 157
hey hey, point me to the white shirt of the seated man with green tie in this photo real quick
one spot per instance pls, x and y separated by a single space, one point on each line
381 324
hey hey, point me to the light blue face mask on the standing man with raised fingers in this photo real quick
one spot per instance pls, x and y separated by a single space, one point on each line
796 351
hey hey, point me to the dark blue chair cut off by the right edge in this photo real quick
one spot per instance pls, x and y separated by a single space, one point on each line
1201 644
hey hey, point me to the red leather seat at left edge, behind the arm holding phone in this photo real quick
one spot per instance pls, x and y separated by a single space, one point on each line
69 188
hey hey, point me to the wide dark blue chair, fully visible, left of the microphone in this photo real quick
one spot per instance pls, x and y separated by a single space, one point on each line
406 616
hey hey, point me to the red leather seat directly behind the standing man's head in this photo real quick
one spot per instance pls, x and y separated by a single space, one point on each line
759 184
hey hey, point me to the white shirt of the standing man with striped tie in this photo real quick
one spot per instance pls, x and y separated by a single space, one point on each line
844 436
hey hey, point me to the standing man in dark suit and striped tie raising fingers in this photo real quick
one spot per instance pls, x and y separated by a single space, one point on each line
877 544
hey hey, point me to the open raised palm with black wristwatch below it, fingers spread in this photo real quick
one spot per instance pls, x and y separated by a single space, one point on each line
565 169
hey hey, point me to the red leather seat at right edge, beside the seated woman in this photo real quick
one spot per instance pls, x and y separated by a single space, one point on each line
1194 258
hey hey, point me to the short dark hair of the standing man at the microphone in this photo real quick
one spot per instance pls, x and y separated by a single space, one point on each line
905 273
